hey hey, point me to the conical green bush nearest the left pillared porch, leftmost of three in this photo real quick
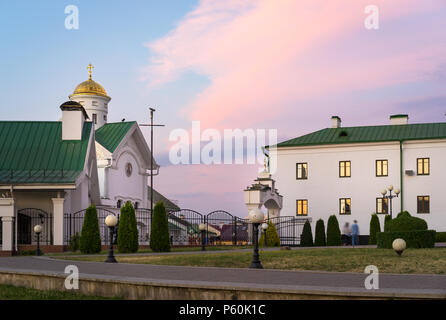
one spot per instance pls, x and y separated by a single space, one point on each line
90 241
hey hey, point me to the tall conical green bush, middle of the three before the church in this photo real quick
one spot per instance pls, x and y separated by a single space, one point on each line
127 230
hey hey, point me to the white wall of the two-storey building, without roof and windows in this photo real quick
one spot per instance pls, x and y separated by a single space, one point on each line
324 187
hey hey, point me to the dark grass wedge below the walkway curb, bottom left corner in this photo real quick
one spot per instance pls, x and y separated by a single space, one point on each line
20 293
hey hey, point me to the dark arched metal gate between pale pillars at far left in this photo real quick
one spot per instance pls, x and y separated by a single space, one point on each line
27 219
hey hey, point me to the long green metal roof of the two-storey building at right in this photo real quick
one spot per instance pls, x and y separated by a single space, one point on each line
420 131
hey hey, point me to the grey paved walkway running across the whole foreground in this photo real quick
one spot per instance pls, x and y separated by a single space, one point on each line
241 278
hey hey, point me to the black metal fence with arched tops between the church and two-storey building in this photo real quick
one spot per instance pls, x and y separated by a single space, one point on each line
221 227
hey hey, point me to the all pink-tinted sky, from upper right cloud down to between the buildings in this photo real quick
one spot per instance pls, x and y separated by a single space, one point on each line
290 65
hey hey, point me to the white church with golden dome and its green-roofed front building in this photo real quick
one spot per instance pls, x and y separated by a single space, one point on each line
50 168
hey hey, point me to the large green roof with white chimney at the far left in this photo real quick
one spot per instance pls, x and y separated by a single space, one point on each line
33 152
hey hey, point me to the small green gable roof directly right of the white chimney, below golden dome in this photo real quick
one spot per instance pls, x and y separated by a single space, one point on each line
110 135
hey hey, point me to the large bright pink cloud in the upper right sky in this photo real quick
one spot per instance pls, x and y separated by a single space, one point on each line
262 55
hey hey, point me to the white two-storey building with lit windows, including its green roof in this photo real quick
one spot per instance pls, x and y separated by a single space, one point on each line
343 170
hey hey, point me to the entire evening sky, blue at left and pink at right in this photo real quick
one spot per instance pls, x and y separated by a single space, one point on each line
231 64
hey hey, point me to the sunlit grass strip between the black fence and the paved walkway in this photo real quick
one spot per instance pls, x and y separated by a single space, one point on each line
425 261
